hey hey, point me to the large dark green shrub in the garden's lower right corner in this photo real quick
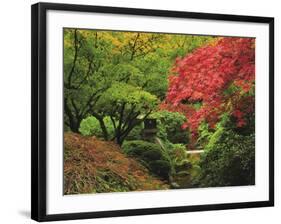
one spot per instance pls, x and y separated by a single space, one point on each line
229 161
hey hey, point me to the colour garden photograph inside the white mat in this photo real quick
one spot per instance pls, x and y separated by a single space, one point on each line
148 111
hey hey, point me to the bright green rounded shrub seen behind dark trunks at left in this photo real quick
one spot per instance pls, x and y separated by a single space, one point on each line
90 126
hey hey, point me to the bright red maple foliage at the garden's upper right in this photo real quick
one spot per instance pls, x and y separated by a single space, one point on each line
218 77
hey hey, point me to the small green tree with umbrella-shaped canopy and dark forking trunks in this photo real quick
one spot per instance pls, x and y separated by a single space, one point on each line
127 106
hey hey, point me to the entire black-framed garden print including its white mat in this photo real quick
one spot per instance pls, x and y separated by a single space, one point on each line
139 111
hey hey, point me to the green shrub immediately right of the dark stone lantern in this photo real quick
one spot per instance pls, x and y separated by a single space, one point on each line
169 126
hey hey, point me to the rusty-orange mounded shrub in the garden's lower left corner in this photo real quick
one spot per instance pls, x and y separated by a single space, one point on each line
95 166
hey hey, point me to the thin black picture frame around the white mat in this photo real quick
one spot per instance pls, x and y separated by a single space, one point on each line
39 122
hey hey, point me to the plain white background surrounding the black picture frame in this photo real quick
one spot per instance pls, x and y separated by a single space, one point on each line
15 110
